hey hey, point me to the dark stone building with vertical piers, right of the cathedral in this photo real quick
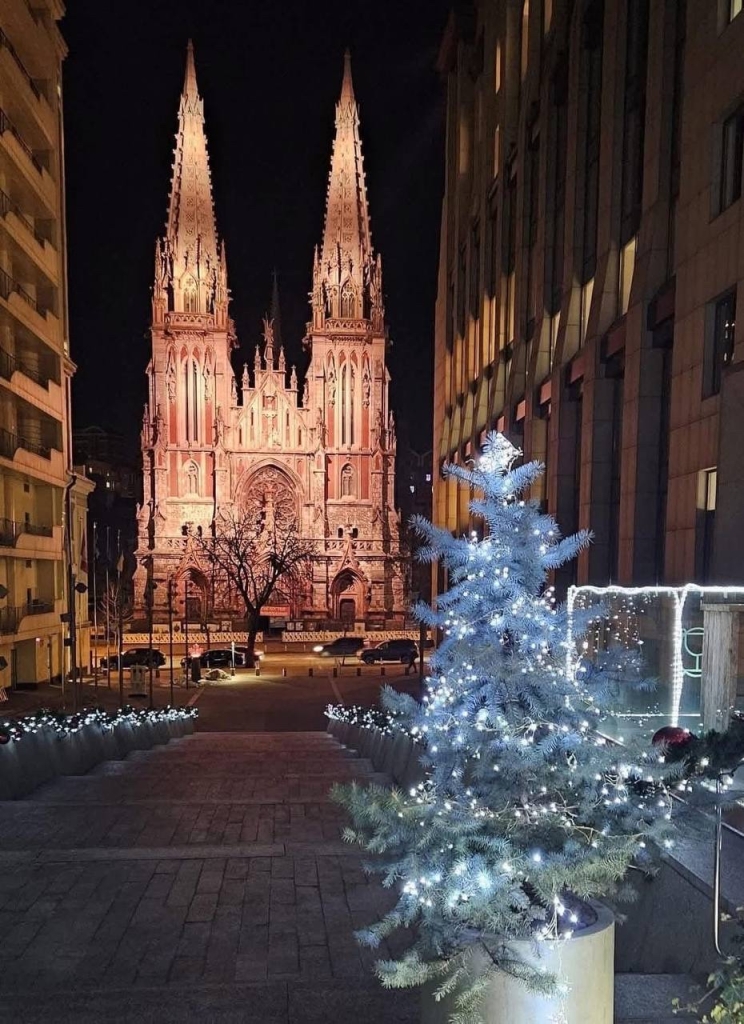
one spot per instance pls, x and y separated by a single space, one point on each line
590 263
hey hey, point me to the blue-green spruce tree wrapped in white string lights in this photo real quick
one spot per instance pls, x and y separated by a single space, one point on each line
528 812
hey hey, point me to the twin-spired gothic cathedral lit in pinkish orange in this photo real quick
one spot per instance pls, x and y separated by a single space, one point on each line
322 456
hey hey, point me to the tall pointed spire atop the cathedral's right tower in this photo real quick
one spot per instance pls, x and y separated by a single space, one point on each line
346 275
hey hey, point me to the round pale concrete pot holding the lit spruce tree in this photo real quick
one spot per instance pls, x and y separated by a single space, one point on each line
585 964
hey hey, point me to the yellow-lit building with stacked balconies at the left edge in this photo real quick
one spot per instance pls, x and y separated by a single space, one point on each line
35 364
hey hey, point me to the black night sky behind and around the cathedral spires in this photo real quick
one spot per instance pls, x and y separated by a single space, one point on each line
270 75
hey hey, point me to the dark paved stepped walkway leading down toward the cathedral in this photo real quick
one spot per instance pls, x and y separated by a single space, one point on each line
204 881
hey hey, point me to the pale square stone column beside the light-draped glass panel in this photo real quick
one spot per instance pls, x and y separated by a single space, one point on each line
721 651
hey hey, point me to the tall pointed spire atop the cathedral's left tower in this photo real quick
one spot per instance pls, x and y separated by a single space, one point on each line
191 276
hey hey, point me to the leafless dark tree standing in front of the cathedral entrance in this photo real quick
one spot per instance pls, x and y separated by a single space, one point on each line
257 559
